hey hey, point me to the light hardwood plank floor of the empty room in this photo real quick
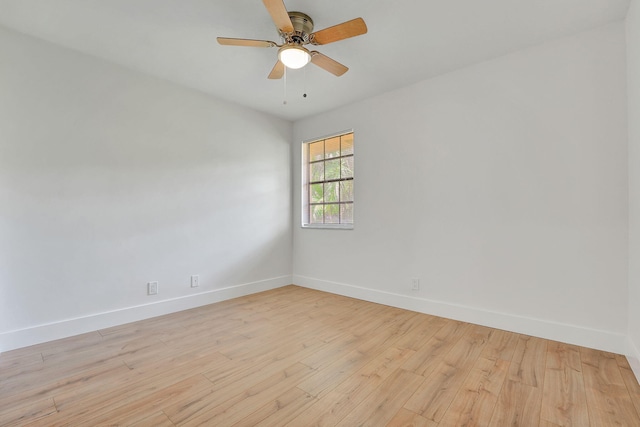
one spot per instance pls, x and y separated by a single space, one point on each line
299 357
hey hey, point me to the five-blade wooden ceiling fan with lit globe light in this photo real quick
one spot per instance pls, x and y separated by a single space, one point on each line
295 29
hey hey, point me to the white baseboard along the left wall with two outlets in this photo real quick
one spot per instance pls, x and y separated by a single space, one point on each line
69 327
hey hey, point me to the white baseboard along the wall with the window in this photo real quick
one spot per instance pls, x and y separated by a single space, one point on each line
571 334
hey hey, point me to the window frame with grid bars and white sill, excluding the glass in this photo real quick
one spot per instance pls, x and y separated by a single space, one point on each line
305 196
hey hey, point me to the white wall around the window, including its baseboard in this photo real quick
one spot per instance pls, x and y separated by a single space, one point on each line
502 187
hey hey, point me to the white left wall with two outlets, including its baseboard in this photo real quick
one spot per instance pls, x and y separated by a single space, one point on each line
110 179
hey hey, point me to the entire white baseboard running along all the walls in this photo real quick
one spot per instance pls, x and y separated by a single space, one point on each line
592 338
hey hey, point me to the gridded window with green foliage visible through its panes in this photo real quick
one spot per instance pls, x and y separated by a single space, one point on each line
327 176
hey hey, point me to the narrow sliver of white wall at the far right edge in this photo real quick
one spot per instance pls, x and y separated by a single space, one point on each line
633 94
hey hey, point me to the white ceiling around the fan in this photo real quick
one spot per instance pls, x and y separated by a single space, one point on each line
408 41
